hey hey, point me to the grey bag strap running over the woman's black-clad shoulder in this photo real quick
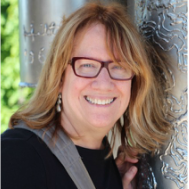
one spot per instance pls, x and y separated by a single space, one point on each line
65 151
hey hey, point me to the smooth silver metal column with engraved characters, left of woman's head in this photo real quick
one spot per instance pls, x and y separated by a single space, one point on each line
39 22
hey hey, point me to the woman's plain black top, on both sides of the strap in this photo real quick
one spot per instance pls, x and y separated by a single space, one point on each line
27 163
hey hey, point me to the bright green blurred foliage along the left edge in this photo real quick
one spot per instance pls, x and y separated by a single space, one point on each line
10 93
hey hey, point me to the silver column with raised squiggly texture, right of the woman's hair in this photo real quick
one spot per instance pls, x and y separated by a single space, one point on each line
165 22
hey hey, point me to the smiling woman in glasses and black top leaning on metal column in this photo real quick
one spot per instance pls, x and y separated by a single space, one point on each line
98 78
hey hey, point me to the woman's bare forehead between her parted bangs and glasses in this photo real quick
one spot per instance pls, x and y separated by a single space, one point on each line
91 42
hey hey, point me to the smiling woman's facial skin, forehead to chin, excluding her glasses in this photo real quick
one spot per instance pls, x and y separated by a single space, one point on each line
79 94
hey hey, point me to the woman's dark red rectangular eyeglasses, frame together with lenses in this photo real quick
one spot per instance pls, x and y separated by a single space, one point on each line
91 68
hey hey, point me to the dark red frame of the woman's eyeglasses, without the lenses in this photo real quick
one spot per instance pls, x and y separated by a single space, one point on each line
104 64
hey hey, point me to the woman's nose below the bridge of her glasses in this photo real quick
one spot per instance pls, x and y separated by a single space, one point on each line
103 82
